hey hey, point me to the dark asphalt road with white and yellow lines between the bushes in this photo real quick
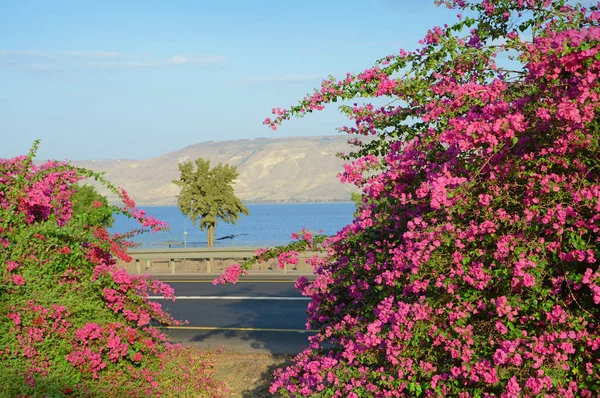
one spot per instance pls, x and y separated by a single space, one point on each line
265 314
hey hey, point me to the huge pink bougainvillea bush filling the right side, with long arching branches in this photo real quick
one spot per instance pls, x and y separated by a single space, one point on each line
472 267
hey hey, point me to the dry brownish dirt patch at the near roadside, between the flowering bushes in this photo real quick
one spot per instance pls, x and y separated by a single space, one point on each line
248 375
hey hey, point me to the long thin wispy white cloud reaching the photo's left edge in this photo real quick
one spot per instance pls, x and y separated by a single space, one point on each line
67 60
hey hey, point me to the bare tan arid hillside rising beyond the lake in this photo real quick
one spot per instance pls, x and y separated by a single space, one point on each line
296 169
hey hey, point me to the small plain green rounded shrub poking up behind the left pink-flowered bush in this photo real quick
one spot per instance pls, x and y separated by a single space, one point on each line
85 198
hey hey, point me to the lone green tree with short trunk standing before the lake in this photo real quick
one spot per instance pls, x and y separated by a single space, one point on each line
207 195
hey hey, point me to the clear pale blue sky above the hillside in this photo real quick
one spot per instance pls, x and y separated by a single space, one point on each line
137 79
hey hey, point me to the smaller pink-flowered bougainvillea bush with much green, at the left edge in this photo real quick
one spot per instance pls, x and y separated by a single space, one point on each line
71 323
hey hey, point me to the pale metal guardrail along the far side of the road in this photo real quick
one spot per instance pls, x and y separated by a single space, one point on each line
205 253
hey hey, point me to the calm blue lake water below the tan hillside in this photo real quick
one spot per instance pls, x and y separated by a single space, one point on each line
267 224
